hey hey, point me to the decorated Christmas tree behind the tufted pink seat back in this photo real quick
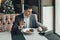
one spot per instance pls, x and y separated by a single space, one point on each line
8 7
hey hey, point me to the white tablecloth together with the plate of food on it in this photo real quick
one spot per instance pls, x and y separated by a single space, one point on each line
34 35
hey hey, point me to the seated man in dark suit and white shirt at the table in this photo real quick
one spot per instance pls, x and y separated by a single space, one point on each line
25 20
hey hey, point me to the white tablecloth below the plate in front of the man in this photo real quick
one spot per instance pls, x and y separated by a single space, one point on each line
35 36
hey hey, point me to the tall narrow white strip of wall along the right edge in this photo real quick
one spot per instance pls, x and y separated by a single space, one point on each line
57 17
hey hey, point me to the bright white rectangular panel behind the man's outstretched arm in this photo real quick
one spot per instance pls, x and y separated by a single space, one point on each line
48 17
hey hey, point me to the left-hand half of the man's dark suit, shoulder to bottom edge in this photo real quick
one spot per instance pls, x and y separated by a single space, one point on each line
15 32
